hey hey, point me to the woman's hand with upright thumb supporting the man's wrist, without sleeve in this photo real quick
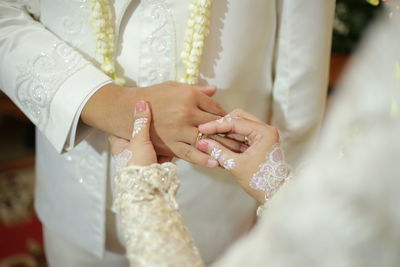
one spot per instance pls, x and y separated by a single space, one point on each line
139 150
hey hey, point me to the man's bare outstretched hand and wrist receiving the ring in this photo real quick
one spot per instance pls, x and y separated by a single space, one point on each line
177 111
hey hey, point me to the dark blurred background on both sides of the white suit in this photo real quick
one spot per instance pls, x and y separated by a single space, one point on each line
20 231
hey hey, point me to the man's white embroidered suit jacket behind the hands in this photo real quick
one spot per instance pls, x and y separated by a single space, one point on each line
267 56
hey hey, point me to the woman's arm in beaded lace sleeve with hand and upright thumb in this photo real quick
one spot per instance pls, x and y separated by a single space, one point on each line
144 199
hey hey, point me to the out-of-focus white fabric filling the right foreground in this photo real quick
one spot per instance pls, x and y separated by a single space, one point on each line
343 210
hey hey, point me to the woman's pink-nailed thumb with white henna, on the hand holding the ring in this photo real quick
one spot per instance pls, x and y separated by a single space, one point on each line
225 157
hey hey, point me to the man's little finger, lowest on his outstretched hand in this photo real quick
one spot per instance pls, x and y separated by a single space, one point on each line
192 155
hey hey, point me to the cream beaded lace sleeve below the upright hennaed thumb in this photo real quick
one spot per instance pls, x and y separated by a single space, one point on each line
153 229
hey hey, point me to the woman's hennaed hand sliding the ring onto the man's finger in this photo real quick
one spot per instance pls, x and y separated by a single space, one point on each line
261 139
